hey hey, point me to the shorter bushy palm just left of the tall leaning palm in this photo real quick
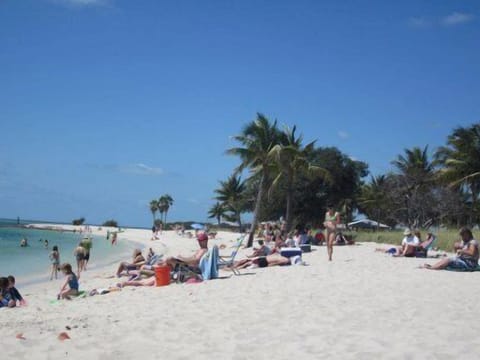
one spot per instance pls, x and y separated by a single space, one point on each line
231 194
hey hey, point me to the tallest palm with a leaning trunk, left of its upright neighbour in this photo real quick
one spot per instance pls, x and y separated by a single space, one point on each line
257 139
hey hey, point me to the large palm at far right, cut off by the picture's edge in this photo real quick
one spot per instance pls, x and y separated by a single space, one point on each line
461 161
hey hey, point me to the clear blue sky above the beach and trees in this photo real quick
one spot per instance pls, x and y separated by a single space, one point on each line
107 104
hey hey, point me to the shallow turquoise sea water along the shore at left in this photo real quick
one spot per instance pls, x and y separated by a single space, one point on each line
31 264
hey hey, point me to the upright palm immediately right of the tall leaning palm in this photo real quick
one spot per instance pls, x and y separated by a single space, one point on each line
292 159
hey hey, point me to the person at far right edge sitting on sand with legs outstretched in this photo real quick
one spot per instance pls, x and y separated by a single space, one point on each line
466 258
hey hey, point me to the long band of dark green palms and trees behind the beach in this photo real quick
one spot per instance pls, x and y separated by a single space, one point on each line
290 179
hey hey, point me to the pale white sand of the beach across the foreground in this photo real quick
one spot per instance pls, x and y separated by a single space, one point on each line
363 305
